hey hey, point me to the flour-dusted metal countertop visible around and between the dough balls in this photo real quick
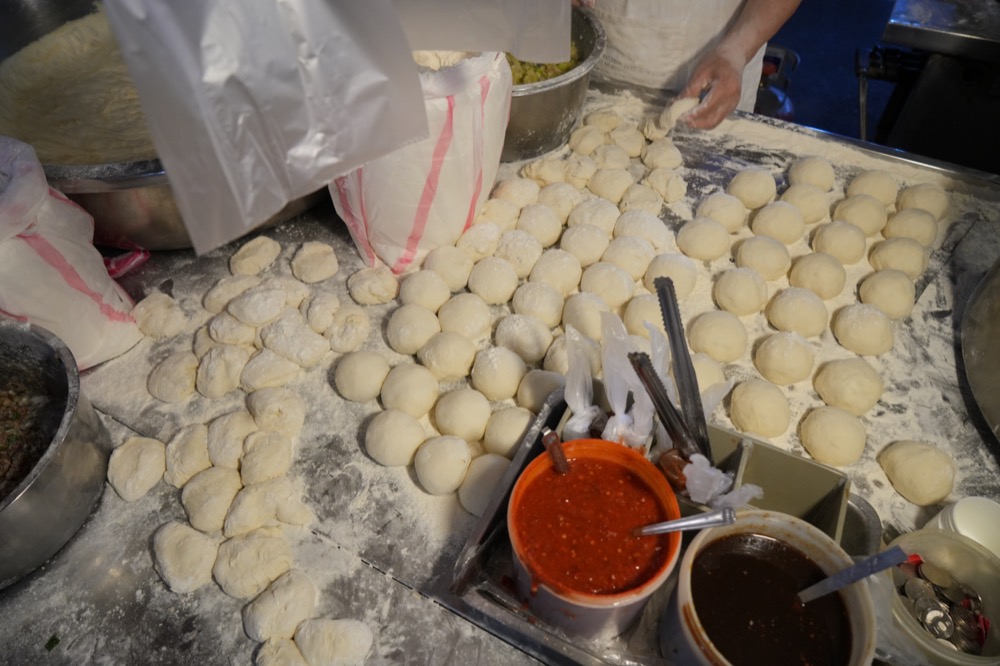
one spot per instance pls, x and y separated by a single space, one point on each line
380 548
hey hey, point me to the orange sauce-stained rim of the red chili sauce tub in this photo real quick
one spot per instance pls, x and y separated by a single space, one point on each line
647 471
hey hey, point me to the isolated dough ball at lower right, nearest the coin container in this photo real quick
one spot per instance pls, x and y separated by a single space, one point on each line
920 472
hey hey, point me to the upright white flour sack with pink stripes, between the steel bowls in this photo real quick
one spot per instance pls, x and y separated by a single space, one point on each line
401 206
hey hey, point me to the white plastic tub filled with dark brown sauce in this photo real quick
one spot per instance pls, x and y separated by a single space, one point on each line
736 599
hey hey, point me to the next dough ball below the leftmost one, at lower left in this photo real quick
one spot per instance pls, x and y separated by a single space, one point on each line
183 557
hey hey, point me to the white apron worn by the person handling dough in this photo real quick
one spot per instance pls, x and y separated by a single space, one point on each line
657 43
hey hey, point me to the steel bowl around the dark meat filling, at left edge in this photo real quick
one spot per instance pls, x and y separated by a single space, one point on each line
43 512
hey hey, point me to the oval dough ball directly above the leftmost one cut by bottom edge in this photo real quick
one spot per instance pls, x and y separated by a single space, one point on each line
279 609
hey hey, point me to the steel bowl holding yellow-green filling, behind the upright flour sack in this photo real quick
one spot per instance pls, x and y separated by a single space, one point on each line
542 114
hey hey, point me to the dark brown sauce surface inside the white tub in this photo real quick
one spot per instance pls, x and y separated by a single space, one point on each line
745 590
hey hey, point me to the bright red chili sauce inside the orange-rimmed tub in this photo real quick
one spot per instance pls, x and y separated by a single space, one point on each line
575 528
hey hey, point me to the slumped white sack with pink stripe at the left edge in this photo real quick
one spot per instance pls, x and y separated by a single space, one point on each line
50 273
